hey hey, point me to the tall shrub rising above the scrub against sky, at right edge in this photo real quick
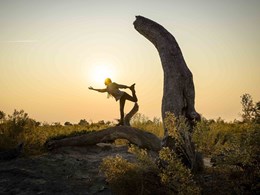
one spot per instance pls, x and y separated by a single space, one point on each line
250 110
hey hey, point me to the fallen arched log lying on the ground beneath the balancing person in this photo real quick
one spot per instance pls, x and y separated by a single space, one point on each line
138 137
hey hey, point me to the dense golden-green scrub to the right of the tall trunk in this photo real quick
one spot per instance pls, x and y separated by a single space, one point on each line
233 147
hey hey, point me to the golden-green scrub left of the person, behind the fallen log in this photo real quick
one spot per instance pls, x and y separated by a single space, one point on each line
19 128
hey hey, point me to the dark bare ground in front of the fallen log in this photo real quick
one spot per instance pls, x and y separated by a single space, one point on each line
67 170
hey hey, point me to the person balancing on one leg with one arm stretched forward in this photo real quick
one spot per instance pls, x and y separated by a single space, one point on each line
113 90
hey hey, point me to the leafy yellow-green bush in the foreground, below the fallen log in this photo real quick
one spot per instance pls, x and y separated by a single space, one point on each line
145 176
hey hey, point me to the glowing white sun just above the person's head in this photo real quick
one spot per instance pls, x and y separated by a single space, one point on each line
101 72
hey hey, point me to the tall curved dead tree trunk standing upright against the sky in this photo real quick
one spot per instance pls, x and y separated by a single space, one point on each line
178 90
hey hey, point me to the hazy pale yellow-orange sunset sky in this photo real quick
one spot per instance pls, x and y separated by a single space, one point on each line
51 51
